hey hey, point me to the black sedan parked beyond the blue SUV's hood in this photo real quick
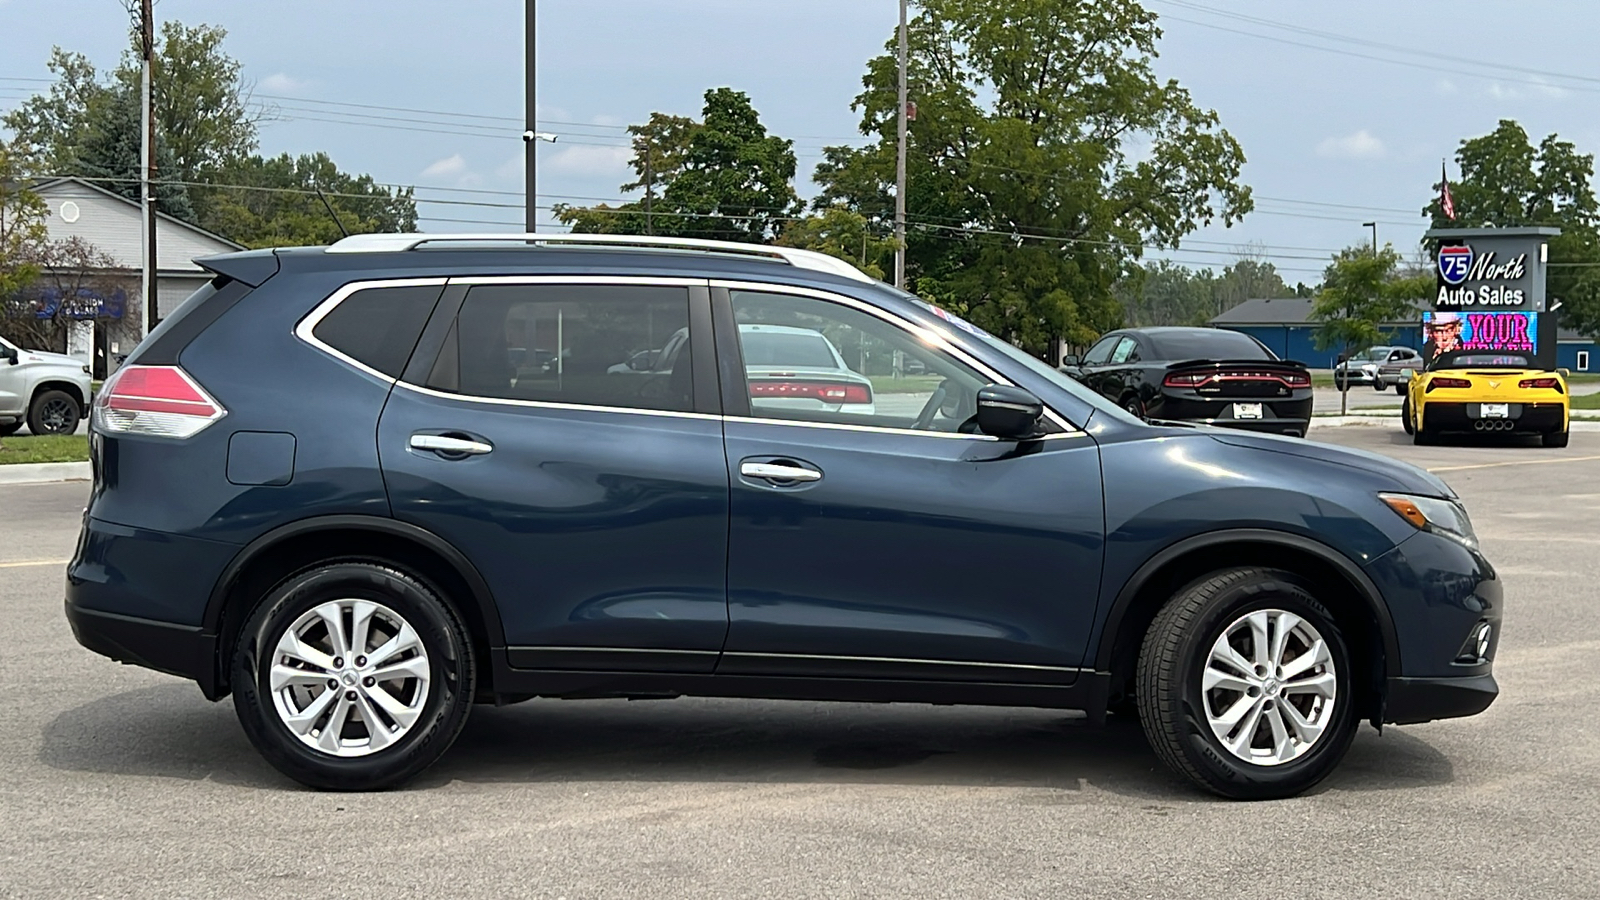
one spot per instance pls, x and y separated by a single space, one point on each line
1201 376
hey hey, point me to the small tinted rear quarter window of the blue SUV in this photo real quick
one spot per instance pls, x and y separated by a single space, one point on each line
380 327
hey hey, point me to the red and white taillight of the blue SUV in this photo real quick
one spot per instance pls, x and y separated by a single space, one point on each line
159 401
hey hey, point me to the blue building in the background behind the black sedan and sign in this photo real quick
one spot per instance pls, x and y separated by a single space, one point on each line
1287 327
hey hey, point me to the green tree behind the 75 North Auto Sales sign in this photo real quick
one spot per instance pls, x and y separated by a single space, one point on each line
1508 182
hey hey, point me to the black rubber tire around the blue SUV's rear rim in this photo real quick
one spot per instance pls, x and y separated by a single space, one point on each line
444 712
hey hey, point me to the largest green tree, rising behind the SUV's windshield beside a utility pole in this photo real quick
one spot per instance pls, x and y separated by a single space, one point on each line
1044 158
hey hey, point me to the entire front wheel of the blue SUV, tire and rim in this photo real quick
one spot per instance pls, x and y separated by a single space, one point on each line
1246 686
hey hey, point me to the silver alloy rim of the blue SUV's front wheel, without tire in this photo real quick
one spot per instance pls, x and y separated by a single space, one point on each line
1270 688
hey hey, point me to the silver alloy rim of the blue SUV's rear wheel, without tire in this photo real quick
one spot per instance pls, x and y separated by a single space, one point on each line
350 678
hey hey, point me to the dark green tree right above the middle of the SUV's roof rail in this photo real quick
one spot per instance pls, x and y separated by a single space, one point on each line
722 179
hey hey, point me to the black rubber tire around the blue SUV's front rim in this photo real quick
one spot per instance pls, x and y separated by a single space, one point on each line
1174 659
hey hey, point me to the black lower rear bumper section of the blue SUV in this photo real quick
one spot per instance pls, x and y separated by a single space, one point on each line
162 646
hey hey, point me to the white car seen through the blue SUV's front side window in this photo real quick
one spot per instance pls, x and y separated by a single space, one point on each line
799 369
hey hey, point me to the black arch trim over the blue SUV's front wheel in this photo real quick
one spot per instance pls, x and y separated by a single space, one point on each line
1369 592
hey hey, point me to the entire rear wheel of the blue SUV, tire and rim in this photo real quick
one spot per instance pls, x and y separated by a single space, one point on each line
353 677
